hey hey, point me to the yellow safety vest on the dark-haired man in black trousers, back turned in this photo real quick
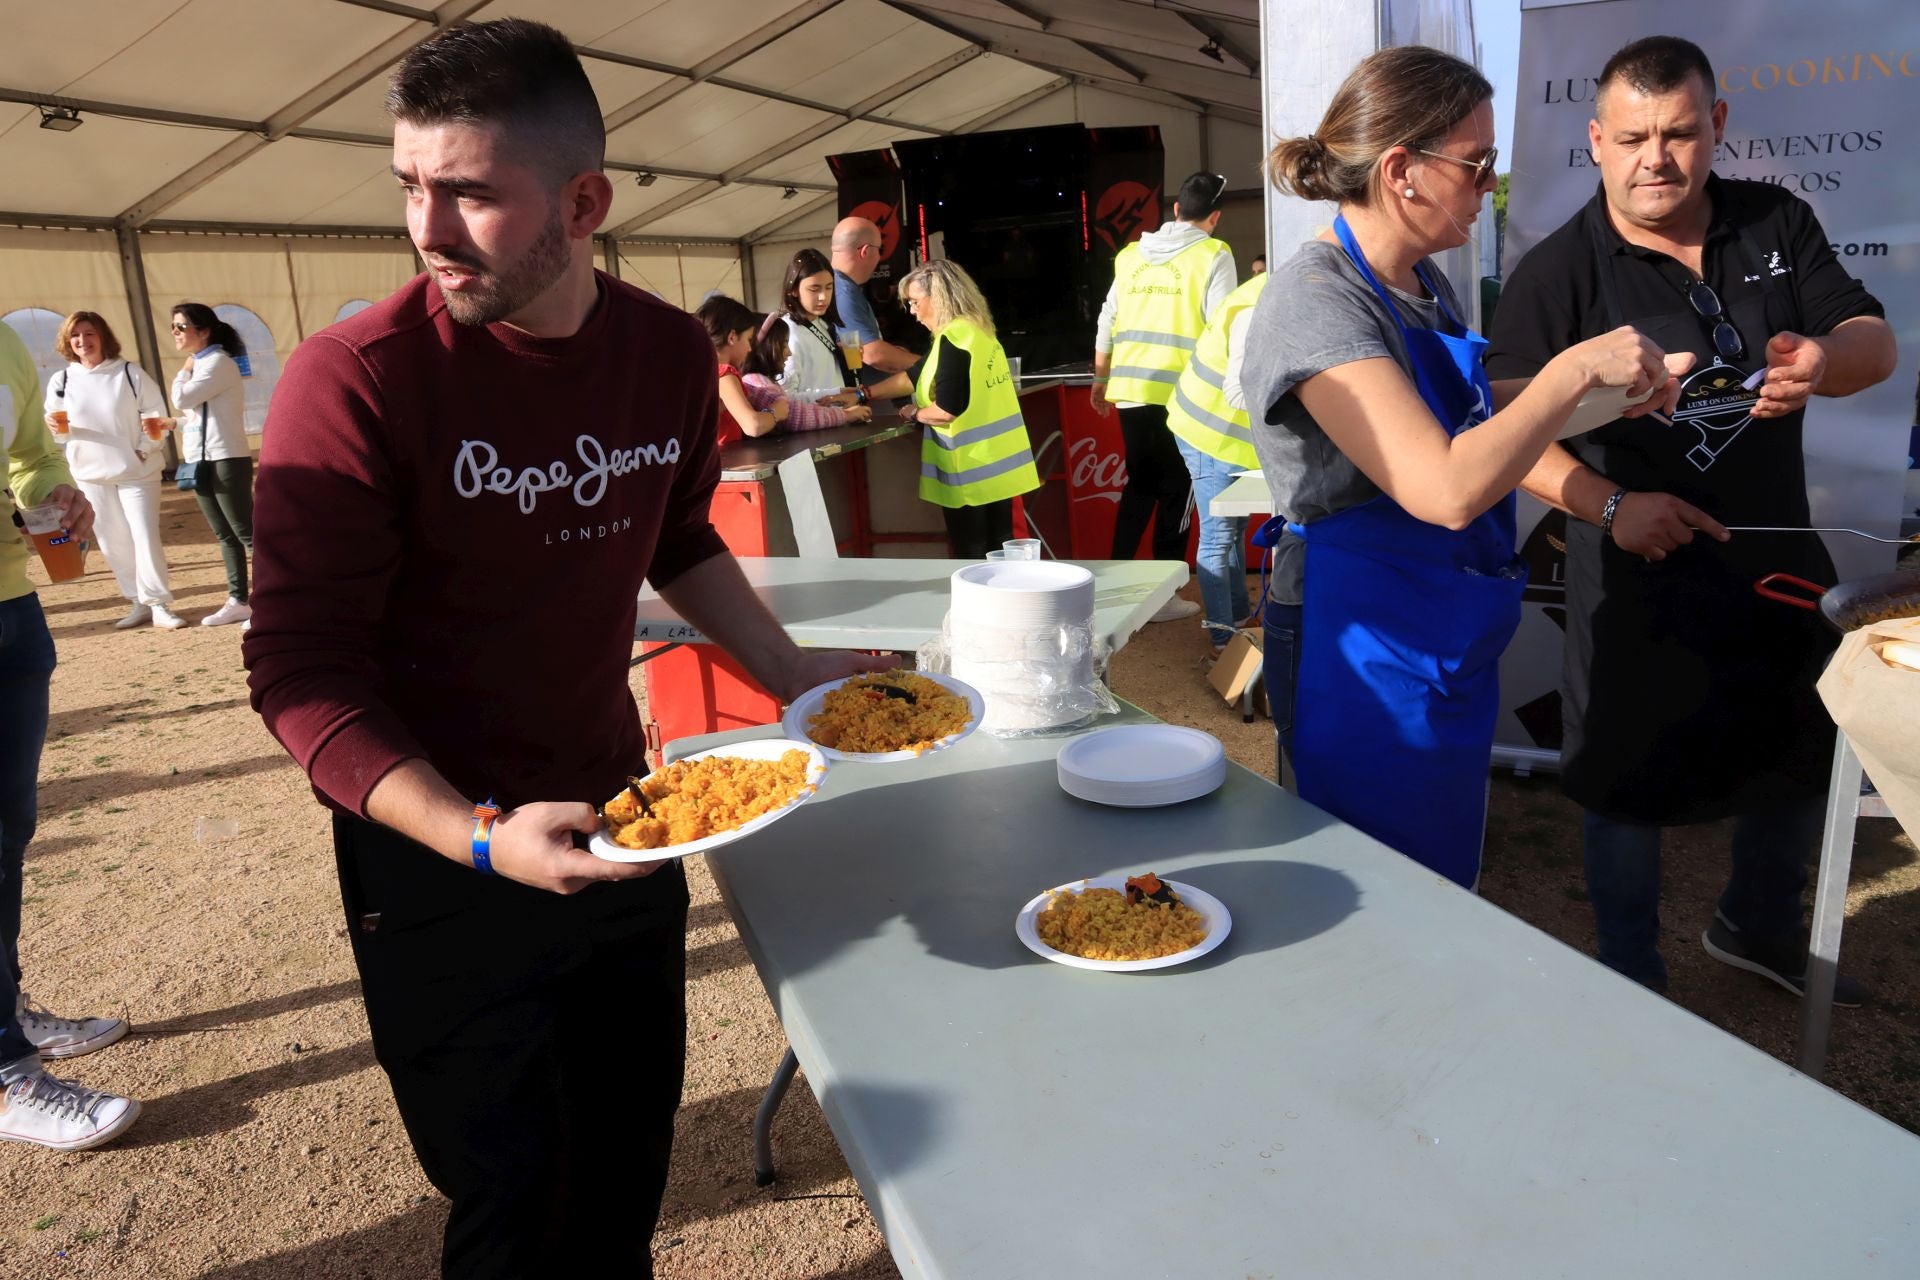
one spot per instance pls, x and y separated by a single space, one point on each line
1159 320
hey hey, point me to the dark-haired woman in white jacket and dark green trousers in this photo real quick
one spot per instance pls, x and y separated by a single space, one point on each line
212 408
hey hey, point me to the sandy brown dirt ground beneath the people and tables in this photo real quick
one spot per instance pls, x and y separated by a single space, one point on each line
183 880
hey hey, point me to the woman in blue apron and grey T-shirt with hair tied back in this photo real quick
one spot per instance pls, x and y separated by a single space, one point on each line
1391 467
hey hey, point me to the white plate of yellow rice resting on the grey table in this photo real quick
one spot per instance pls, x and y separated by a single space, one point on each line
1124 924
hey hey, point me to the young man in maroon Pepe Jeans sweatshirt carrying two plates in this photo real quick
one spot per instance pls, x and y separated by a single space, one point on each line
460 496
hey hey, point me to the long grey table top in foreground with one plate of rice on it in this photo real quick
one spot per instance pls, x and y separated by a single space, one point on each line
1376 1076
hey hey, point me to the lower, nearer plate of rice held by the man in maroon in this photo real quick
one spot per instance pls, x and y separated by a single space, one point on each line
708 801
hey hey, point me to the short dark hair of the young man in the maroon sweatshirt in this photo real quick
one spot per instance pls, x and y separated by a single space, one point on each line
514 74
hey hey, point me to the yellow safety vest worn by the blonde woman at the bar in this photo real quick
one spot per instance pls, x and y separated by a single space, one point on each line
982 456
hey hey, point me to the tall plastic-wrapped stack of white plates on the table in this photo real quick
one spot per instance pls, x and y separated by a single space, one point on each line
1022 634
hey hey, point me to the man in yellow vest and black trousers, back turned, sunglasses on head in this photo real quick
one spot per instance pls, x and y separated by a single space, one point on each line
1164 289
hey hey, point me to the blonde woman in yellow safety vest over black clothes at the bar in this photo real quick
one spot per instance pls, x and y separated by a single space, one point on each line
974 452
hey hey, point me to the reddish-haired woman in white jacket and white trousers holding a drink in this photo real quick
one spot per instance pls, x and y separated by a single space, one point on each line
116 462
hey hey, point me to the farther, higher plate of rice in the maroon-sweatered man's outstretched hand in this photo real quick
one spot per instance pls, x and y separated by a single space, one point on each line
884 717
